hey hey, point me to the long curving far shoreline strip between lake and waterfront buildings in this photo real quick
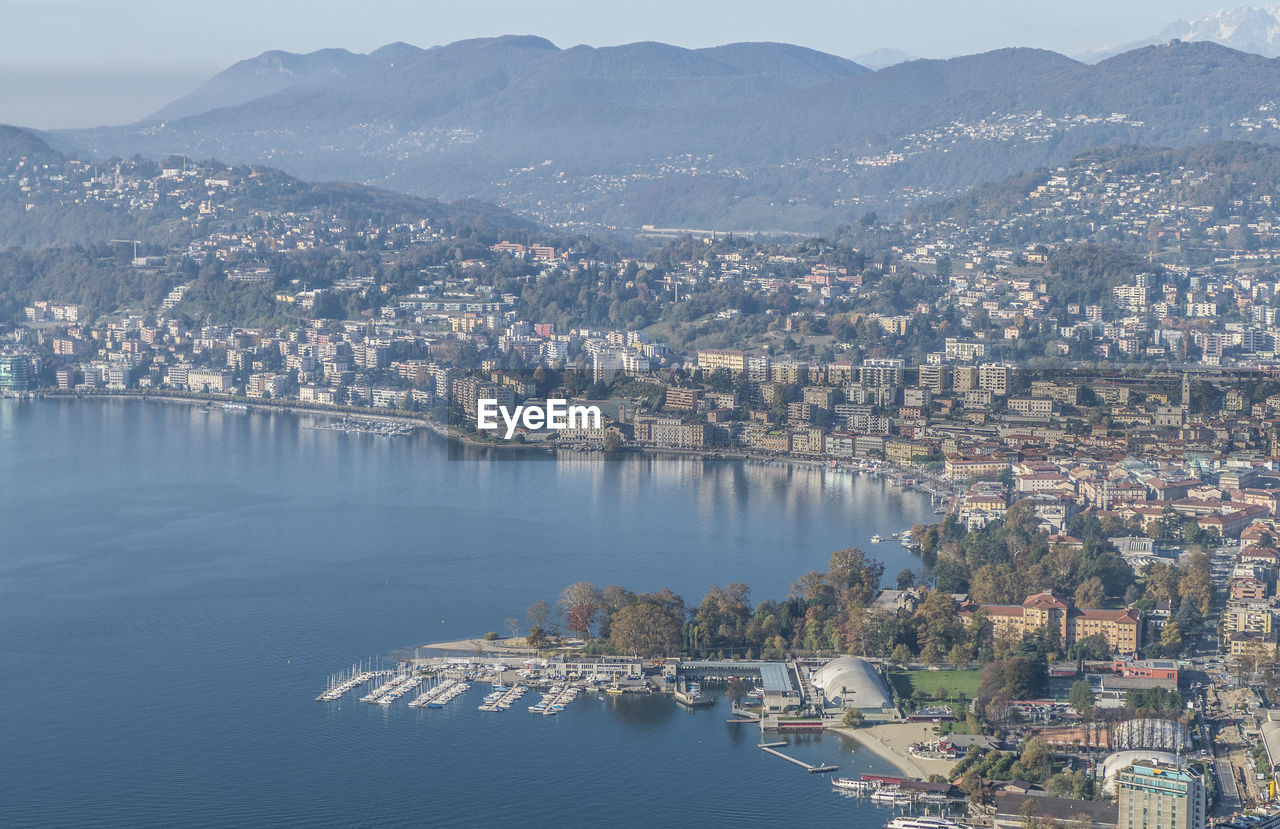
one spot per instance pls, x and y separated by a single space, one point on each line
446 433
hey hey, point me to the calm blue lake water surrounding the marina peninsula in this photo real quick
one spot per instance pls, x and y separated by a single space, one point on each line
177 585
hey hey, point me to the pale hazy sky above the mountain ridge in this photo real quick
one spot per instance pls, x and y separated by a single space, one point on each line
83 63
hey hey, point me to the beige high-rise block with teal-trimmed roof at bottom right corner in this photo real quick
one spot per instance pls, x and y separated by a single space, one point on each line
1159 796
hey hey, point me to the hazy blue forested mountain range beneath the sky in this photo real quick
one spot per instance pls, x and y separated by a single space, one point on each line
746 136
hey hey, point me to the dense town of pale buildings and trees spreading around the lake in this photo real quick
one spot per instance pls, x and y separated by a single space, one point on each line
1123 415
